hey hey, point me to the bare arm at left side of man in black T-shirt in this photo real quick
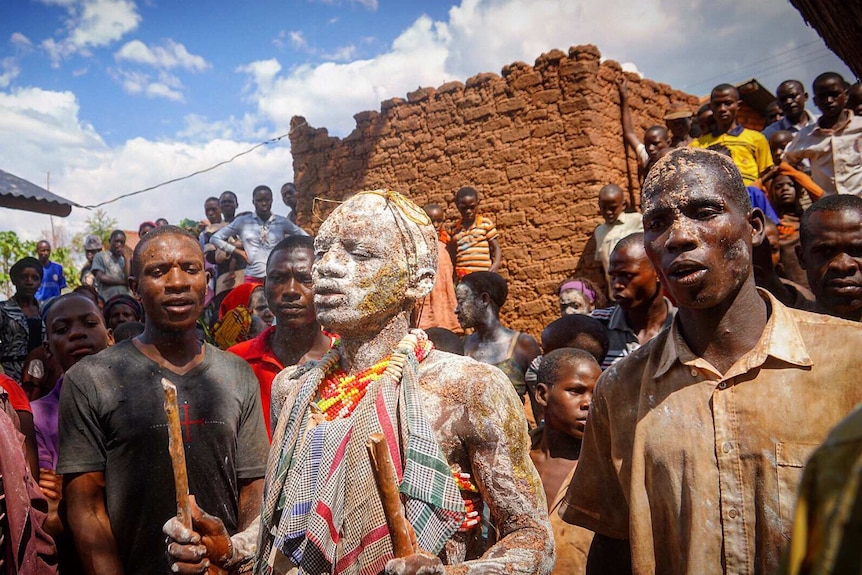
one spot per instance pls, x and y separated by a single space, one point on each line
88 521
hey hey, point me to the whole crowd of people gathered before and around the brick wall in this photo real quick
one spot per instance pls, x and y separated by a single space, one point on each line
667 421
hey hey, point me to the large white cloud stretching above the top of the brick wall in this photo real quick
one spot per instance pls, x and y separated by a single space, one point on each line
733 42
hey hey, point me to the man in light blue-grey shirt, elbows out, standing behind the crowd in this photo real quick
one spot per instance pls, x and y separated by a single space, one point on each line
259 233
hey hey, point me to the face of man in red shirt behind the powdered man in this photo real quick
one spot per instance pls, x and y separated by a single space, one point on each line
288 287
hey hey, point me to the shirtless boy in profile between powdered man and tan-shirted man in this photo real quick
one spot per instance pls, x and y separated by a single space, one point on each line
567 377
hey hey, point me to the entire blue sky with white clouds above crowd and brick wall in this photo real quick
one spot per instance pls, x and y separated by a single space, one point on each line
111 96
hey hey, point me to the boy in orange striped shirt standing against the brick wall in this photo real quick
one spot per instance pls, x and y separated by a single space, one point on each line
474 239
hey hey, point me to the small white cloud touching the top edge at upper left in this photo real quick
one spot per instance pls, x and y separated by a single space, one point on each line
90 24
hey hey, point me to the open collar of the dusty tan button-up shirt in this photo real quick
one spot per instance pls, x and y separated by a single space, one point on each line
780 339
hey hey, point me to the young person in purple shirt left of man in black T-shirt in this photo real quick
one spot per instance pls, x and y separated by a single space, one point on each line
75 329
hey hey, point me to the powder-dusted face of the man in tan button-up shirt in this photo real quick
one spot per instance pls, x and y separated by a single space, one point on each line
697 239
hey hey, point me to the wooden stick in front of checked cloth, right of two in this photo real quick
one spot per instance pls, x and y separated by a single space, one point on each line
390 498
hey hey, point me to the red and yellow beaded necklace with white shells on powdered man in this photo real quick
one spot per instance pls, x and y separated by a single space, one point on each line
340 393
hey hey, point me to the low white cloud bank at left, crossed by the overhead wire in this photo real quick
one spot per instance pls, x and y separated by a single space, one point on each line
84 169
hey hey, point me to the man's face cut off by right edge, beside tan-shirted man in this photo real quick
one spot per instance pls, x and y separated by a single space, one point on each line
832 258
